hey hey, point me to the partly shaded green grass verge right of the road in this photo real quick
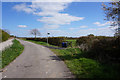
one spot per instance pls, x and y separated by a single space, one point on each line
83 67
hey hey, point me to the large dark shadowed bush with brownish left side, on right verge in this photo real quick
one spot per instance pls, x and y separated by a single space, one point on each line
101 48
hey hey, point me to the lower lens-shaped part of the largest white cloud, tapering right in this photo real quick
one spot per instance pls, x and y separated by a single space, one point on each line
60 19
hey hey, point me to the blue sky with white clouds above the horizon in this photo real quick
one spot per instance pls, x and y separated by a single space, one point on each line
71 19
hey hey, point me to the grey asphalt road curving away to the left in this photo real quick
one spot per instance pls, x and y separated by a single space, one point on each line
36 61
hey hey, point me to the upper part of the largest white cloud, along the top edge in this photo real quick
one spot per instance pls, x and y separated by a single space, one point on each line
49 6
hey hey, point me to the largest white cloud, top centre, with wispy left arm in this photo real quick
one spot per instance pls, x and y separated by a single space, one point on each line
50 12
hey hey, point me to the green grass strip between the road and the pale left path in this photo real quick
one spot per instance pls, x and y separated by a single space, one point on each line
9 54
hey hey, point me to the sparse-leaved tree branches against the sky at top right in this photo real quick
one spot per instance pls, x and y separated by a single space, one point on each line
112 12
